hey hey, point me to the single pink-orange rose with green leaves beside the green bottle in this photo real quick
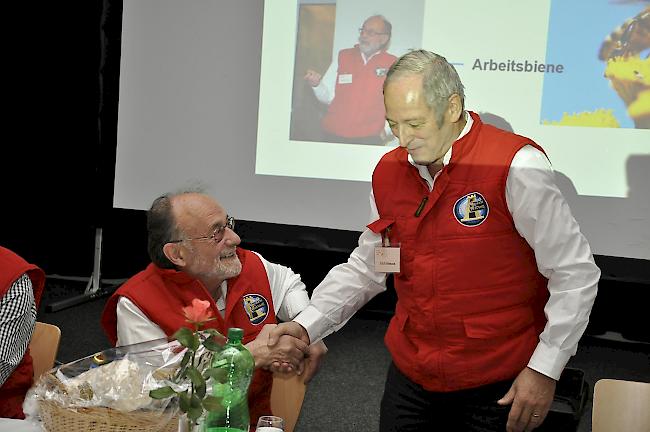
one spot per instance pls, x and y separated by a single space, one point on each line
189 382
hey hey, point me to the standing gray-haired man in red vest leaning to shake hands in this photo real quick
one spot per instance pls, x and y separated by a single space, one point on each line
495 281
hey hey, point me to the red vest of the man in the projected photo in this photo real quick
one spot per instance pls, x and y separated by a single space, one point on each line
357 109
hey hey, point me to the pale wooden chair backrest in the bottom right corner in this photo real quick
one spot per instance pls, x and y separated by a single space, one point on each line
621 406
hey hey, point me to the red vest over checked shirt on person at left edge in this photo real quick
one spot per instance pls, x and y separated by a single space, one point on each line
12 392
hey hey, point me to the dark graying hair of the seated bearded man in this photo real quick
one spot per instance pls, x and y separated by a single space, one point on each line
162 227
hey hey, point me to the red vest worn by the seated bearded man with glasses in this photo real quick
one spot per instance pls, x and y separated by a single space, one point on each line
160 295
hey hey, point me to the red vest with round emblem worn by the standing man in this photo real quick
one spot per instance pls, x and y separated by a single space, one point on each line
470 297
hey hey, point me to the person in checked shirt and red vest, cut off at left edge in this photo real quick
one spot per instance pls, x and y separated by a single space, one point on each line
21 287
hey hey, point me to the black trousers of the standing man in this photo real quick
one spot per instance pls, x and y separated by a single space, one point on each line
407 407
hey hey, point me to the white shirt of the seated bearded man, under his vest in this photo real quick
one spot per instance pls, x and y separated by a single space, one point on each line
288 292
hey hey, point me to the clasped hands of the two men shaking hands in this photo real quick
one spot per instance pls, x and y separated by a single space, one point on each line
284 348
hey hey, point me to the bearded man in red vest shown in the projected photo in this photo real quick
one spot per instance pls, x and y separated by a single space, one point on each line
352 87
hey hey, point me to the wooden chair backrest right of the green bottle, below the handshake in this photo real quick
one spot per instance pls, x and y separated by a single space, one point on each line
286 399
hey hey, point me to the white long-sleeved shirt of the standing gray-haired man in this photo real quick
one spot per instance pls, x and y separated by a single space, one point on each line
541 216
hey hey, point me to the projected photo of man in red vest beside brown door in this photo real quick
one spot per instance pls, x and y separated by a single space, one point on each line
344 94
